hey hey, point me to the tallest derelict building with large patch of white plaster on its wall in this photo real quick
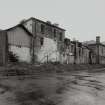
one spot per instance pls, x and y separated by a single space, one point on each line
47 40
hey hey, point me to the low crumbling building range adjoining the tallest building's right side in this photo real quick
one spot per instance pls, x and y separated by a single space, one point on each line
75 52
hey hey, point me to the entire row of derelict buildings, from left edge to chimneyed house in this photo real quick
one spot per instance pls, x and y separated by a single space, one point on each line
35 41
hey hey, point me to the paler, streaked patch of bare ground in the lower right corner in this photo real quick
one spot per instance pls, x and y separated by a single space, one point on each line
85 89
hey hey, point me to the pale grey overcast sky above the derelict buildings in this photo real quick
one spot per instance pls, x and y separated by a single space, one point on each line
82 19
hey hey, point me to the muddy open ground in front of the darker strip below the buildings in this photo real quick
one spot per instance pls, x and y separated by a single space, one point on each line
73 88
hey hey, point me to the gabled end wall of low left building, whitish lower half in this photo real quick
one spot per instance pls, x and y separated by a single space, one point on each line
19 43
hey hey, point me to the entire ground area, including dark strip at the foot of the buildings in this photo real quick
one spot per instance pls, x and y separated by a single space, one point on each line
52 85
